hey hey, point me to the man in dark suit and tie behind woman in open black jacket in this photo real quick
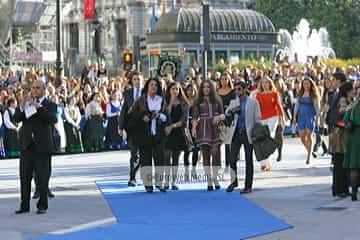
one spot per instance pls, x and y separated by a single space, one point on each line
130 96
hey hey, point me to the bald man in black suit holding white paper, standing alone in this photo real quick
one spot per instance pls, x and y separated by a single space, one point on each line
38 116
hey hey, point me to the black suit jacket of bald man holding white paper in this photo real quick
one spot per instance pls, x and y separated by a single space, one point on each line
38 128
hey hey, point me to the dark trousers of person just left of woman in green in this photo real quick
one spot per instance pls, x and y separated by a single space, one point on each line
340 175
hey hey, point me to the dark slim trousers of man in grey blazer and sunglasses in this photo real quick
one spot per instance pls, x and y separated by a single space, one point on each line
240 138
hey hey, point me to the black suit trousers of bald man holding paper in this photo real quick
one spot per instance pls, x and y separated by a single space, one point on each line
31 161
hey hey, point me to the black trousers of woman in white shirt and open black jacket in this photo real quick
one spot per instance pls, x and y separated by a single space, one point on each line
153 150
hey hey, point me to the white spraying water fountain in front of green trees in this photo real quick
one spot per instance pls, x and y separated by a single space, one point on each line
304 43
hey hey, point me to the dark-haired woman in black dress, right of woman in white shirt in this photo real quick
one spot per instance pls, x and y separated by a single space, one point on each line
178 112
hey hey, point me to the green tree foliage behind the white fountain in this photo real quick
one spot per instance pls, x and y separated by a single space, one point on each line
340 17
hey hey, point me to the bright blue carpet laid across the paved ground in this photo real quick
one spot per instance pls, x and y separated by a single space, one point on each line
191 213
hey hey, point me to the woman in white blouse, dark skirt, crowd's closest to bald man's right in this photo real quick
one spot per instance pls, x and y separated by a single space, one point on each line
72 127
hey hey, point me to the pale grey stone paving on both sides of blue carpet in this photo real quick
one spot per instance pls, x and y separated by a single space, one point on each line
297 193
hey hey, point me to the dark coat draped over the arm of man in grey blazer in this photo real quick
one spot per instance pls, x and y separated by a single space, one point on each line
264 145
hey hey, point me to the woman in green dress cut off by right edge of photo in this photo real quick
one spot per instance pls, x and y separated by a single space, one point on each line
352 150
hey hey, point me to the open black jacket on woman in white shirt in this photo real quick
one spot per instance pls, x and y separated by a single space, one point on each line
140 130
